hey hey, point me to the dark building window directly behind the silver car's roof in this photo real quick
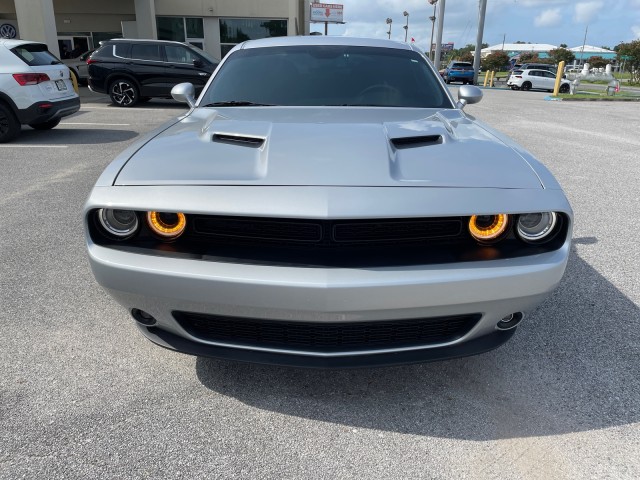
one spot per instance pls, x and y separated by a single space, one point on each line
237 30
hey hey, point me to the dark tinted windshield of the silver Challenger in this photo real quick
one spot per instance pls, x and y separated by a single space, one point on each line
320 75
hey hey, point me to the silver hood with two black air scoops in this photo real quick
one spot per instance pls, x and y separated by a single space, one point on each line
327 146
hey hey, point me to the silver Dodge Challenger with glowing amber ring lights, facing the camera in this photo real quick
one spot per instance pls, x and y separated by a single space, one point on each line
326 202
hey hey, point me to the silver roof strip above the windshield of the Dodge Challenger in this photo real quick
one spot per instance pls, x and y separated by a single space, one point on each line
325 40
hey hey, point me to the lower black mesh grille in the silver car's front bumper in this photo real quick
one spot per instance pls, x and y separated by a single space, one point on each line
326 337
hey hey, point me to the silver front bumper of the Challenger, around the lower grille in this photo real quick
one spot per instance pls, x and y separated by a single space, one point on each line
162 286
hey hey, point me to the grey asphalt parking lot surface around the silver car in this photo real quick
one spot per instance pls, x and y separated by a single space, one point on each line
84 395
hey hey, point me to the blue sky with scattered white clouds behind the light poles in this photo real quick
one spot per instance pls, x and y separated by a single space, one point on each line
606 22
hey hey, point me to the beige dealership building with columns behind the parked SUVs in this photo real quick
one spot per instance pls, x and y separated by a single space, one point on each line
71 27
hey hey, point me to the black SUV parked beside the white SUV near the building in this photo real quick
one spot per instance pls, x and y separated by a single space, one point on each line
133 71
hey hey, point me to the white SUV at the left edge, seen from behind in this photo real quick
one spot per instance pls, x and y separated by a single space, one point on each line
35 88
